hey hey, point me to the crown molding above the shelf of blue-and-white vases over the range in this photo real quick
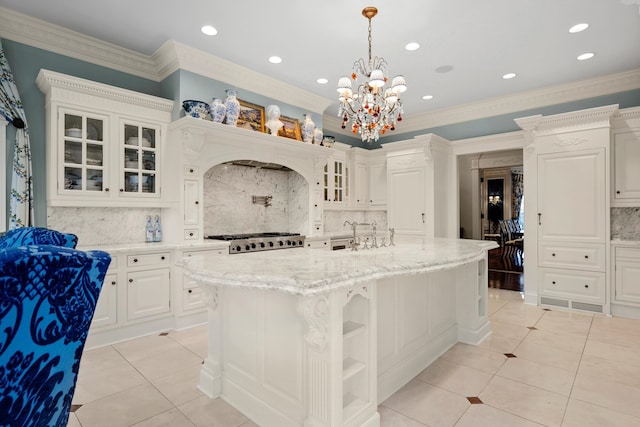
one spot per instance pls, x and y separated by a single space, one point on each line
172 56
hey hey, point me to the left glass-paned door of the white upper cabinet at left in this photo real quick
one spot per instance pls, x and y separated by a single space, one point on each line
84 158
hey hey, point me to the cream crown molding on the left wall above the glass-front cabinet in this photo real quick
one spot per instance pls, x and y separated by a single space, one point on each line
44 35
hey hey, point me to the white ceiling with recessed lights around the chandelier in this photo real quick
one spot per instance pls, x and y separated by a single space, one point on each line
466 45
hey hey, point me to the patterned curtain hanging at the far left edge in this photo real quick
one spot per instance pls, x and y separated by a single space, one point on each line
21 205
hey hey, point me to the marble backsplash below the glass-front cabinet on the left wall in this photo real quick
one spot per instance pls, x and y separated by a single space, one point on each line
101 226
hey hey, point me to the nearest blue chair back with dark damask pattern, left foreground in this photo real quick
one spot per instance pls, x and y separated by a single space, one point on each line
48 295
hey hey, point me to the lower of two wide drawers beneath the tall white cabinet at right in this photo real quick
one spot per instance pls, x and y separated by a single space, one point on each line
572 284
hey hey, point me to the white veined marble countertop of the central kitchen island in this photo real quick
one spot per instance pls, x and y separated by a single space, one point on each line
314 271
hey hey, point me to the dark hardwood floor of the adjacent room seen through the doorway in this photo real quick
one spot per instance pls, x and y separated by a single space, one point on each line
506 269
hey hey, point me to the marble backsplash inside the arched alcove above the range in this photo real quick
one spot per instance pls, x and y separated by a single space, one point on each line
229 207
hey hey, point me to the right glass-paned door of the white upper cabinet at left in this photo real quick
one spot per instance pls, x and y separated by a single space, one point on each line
140 159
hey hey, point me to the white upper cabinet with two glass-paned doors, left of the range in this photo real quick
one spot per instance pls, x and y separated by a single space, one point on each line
104 144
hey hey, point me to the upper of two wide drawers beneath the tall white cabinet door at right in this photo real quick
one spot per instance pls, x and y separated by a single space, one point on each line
583 257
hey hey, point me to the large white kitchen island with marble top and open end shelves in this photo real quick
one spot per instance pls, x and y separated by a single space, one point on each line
307 337
